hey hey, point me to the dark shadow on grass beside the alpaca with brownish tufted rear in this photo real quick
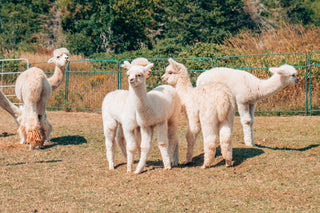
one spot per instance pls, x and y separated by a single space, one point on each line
66 140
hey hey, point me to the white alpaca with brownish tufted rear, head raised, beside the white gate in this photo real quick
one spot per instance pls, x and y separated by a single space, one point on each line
34 89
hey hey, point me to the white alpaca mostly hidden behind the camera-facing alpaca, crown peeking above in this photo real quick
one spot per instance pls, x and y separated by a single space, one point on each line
116 113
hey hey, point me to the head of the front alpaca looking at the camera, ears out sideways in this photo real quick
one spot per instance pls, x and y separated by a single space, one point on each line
137 74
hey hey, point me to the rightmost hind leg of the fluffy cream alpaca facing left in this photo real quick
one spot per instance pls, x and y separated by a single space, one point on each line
226 142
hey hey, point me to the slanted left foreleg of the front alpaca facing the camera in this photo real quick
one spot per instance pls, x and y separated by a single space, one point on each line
146 138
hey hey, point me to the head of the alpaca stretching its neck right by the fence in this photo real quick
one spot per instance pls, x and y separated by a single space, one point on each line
287 73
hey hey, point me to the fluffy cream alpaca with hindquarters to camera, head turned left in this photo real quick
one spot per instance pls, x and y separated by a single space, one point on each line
208 107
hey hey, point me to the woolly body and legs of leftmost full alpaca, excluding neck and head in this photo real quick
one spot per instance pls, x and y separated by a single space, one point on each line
33 89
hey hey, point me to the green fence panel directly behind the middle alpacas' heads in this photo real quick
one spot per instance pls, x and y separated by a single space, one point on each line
194 65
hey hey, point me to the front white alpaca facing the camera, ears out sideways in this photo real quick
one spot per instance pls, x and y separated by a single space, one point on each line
158 108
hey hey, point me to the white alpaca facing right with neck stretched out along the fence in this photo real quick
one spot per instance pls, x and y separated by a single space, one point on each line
248 89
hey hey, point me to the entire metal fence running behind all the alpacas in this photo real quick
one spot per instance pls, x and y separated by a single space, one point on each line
88 81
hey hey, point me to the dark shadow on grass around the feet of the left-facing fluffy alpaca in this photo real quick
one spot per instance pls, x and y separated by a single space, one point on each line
239 155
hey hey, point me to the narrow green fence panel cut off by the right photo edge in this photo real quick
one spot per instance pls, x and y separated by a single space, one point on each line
314 83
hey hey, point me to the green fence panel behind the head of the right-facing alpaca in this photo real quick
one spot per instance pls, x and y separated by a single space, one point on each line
290 100
